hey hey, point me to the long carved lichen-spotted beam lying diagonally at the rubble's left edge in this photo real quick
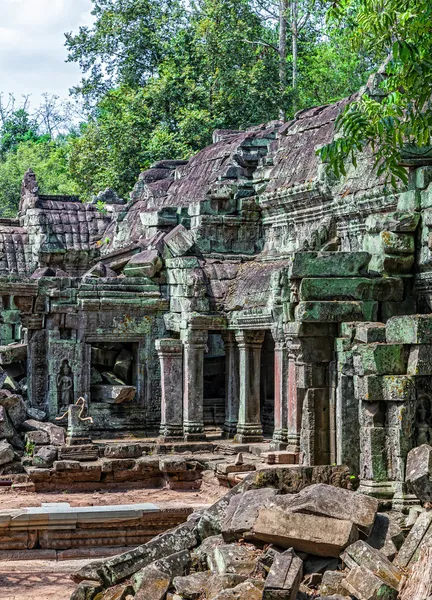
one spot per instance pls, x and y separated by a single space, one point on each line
120 567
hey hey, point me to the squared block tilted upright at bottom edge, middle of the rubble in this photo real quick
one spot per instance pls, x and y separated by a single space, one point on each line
284 578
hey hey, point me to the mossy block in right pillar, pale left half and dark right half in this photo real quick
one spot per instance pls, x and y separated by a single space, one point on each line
380 359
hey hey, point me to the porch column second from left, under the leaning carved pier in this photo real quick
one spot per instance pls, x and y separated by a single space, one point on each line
194 346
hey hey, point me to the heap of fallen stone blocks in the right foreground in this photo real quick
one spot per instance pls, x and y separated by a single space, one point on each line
263 543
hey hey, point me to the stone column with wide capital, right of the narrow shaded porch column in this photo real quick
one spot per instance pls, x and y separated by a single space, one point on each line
249 428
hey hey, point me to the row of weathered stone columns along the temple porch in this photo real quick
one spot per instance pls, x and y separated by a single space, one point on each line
182 368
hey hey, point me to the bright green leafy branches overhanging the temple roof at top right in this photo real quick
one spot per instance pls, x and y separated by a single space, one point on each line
399 112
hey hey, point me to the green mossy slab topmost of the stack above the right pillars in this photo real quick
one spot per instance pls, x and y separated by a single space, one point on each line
329 264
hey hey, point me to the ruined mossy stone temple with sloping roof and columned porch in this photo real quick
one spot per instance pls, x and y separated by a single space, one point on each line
246 289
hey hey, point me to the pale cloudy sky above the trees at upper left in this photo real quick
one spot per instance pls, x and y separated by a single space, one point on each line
32 51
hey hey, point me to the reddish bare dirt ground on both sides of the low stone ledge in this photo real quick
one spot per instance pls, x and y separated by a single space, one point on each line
49 579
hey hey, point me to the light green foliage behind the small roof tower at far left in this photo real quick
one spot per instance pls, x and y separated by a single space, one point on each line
49 161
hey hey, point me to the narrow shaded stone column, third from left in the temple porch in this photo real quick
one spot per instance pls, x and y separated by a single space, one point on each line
232 384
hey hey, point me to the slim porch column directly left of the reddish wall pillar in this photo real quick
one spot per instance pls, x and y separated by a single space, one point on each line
280 433
